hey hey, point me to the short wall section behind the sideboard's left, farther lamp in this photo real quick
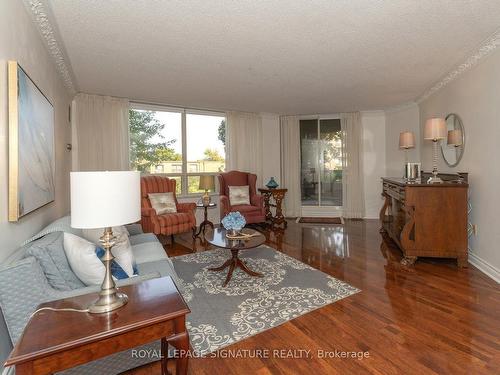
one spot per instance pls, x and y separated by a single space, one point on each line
397 120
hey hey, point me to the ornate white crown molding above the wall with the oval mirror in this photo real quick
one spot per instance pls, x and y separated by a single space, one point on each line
486 48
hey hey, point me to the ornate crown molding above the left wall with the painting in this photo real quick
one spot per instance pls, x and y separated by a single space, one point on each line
39 11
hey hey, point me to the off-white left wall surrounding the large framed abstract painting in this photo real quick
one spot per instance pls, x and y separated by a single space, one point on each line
21 41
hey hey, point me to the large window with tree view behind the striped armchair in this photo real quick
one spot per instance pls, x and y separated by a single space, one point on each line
178 143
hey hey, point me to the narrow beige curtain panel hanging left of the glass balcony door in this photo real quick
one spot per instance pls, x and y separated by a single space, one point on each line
290 164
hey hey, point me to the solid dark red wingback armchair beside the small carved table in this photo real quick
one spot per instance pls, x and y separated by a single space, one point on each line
254 212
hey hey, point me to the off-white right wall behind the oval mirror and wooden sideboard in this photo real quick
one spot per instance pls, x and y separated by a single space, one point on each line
474 97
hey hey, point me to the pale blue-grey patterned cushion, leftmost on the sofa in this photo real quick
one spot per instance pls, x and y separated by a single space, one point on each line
49 251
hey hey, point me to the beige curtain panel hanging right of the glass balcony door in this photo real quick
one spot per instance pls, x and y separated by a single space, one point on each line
352 168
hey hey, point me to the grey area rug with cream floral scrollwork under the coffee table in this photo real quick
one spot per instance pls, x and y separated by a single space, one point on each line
248 305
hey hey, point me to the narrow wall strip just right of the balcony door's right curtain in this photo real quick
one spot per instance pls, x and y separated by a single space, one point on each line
374 160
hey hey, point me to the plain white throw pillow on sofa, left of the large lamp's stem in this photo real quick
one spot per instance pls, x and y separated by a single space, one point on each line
83 259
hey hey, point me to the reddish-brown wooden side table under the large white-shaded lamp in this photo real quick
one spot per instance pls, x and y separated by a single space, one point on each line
57 340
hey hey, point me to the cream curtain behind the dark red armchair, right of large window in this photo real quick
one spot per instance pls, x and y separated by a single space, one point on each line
244 143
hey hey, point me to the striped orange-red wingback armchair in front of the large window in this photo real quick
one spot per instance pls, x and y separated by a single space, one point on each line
166 224
